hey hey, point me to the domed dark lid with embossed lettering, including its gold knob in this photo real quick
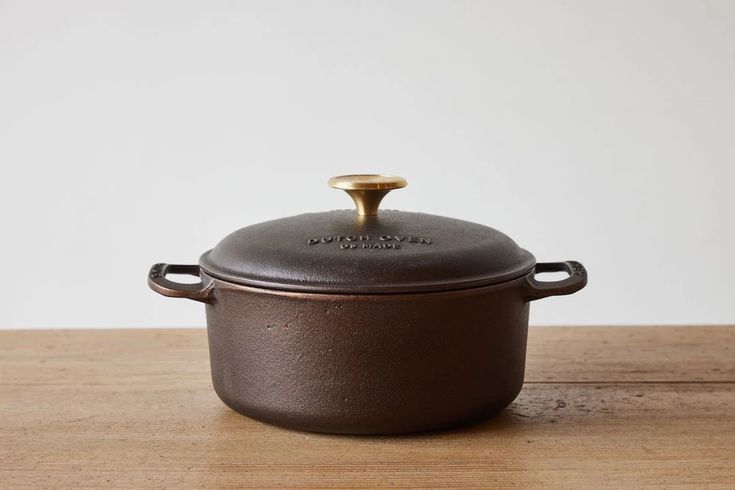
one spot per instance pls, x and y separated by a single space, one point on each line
367 252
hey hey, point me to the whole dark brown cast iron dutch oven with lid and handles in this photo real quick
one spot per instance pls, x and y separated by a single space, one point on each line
367 322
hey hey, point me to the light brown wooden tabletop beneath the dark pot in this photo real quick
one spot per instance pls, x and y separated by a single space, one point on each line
622 407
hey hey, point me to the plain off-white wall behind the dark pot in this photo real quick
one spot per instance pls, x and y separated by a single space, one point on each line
137 132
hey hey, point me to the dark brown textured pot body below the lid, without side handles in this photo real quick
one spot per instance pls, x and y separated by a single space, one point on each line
367 364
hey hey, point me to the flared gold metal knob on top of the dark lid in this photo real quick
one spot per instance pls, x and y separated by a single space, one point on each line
367 190
